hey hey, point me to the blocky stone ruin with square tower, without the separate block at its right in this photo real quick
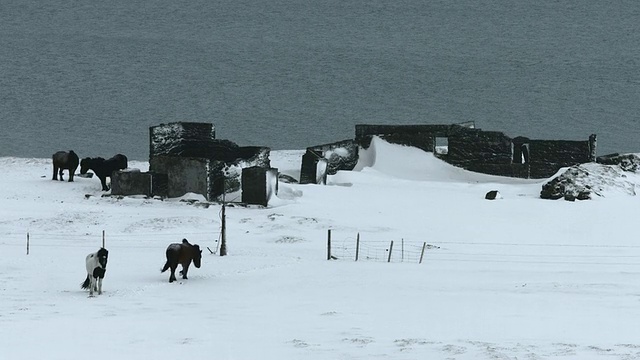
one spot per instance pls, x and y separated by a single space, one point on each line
193 161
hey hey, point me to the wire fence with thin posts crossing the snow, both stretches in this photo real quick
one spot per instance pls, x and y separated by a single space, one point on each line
369 248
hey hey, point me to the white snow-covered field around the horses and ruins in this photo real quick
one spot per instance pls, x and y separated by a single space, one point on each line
517 277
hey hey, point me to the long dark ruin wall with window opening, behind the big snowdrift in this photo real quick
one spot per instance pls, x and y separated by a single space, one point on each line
489 152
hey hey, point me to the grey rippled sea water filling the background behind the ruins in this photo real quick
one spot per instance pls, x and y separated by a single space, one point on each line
93 76
